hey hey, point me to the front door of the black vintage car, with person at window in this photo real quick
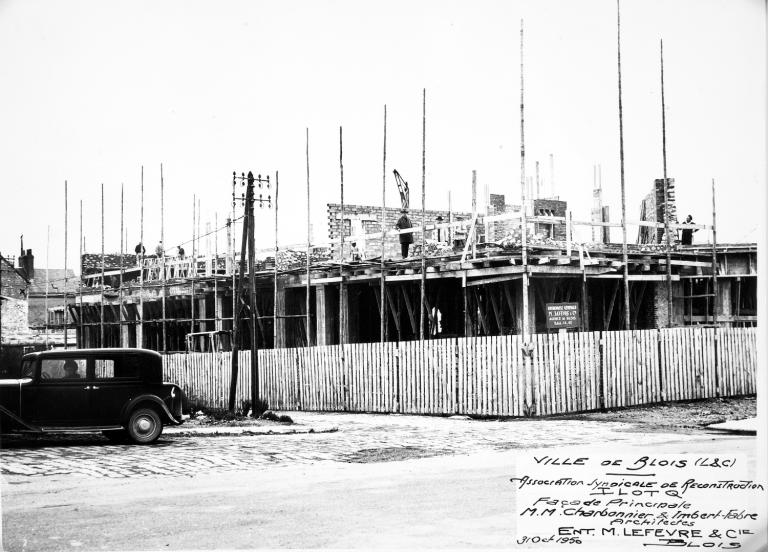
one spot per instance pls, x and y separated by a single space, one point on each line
59 397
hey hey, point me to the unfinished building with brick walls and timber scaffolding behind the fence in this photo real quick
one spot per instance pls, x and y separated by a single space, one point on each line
478 274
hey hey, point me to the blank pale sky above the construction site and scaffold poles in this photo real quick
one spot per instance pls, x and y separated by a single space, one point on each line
93 91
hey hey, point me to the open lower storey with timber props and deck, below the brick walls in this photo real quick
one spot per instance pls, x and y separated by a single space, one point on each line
463 298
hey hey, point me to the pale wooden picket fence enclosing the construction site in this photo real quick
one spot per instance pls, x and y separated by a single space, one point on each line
494 376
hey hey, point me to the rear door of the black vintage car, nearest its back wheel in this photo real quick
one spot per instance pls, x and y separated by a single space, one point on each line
116 380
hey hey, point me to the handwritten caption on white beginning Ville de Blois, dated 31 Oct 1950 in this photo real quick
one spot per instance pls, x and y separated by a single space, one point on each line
645 501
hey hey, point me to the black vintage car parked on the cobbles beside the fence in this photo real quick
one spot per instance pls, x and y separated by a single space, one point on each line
119 392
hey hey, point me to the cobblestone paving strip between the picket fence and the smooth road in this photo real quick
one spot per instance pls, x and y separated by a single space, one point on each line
334 438
